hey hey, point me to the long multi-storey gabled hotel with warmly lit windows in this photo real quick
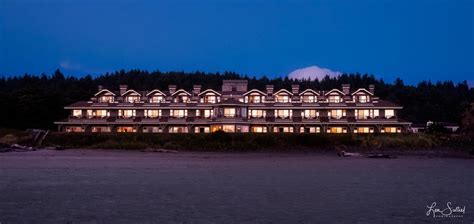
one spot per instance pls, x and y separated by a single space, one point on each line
234 109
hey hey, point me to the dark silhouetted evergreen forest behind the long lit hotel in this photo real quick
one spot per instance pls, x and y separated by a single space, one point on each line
36 101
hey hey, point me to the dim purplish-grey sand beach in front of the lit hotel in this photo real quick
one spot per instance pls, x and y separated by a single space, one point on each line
79 186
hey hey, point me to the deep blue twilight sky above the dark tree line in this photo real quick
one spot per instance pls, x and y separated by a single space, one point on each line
411 39
